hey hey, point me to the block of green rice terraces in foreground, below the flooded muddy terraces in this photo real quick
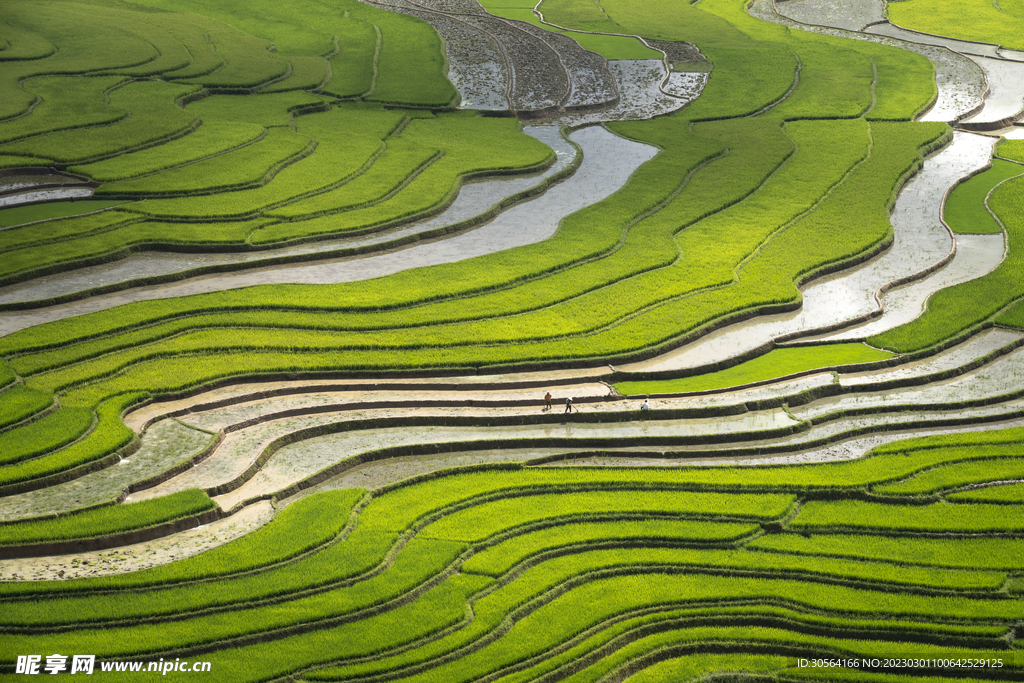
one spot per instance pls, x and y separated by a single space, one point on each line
531 571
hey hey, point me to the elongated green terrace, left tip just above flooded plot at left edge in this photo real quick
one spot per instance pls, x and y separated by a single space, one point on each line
211 139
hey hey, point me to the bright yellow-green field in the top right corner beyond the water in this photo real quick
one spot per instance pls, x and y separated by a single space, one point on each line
978 21
